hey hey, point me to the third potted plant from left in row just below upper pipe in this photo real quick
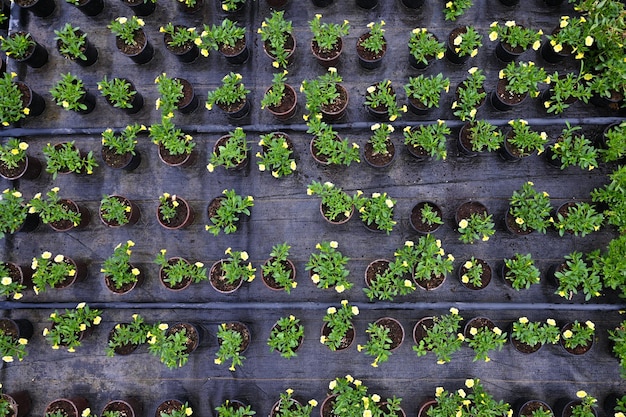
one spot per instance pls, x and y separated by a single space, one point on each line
119 150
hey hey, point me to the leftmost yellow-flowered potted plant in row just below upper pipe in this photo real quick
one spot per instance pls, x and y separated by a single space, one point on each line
15 163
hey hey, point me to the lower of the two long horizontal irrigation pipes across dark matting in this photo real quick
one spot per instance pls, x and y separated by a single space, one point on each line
226 306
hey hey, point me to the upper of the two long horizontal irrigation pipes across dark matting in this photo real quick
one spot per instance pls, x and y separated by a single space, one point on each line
302 127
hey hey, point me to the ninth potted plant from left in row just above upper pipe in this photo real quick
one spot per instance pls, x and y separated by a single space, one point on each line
424 92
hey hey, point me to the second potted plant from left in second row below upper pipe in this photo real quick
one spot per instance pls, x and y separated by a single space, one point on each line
60 214
